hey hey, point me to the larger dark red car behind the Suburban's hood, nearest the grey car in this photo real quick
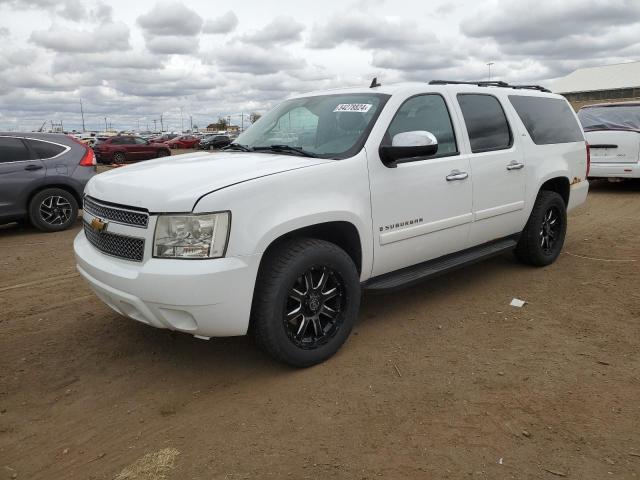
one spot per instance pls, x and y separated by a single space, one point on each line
124 148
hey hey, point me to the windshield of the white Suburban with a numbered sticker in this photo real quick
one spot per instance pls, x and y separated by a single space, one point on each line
327 126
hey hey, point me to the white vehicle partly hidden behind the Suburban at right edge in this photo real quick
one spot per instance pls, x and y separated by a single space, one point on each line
613 133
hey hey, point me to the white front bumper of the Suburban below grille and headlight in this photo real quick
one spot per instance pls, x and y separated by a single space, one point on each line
208 298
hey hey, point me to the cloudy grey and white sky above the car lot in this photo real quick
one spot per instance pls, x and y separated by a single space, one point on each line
132 61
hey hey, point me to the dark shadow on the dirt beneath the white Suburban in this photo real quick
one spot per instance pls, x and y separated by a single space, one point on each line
174 353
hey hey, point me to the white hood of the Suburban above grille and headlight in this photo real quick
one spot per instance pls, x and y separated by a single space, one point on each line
174 184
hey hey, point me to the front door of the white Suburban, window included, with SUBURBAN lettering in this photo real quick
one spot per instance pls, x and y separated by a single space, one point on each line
419 214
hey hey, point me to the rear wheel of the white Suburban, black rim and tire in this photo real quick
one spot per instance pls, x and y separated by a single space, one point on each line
543 236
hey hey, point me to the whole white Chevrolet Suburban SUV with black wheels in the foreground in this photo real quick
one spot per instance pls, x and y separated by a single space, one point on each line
327 194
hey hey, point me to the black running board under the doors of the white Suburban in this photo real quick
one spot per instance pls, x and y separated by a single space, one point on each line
438 266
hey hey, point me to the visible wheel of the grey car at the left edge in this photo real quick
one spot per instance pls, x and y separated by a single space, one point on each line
53 210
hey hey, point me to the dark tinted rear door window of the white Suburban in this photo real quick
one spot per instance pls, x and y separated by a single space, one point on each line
486 122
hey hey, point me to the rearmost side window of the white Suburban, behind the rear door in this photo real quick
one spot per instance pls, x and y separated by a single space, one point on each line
548 120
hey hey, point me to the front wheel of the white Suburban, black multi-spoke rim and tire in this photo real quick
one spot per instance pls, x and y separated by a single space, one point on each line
306 301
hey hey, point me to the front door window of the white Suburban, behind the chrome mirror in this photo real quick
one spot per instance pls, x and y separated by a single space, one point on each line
425 112
